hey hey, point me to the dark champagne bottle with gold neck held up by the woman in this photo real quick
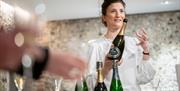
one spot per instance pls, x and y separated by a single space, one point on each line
117 49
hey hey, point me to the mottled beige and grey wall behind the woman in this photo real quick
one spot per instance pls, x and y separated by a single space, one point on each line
164 37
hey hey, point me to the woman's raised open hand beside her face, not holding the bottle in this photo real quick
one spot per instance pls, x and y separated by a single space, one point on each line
143 38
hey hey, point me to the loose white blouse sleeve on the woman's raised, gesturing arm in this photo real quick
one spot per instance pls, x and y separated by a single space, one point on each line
145 71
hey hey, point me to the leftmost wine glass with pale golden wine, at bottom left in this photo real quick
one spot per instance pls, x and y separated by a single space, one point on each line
19 82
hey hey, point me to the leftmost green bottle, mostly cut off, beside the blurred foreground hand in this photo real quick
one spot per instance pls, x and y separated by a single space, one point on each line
81 85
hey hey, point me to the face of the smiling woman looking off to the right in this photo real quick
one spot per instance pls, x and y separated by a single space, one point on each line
115 14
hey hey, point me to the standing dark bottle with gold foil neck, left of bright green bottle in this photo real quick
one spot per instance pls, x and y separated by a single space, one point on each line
100 85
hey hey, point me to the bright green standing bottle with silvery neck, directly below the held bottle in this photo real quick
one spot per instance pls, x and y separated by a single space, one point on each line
115 82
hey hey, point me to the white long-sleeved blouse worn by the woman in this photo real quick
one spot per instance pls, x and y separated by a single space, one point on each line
133 70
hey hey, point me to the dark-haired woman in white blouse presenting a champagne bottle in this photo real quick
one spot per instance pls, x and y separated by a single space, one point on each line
134 67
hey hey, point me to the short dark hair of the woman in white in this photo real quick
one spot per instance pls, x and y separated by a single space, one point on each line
105 5
